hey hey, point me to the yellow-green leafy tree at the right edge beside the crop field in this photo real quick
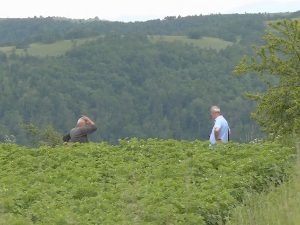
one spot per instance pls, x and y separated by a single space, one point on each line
278 109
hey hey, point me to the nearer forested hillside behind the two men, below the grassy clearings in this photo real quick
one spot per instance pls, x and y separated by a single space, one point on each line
129 87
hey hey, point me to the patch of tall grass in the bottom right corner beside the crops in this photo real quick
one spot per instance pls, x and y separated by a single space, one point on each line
281 206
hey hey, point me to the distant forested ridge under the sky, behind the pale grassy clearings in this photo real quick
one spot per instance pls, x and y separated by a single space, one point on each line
49 30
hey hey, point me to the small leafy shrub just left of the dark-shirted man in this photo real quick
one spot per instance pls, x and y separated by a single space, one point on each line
48 137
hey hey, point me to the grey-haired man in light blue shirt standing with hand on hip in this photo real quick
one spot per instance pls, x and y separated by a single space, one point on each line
221 130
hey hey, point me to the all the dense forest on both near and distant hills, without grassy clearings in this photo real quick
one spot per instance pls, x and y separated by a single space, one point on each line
128 85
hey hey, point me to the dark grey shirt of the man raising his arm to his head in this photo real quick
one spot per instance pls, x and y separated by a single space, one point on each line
79 134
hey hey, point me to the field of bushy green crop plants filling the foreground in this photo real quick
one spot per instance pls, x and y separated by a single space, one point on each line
138 182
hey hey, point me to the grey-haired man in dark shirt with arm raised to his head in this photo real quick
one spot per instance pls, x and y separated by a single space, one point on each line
81 131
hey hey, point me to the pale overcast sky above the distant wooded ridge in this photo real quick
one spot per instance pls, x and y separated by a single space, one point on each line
131 10
